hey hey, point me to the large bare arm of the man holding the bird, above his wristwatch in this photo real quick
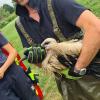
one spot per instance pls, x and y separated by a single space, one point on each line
90 24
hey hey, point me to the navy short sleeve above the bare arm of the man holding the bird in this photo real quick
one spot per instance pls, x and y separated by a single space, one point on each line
71 10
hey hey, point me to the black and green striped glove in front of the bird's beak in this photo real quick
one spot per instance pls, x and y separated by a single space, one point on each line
36 54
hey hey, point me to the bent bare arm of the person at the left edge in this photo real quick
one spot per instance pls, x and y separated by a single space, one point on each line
12 54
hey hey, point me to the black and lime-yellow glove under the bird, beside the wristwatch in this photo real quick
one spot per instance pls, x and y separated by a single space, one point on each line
69 71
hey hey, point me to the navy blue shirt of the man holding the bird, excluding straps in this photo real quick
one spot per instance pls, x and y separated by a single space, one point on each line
66 11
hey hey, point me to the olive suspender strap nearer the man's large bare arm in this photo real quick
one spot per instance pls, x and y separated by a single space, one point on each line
56 28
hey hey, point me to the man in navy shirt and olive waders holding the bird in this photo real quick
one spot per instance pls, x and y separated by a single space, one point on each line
36 24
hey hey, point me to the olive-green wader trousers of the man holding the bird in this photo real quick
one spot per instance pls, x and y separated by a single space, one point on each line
87 88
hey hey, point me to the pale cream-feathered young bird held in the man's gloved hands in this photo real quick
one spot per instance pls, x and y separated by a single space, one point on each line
54 49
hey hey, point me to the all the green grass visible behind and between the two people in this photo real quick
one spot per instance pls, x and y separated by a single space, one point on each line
46 82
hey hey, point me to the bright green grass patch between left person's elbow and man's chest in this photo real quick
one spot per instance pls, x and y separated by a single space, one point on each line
11 34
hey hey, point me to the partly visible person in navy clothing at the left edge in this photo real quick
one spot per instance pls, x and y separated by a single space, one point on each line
14 84
